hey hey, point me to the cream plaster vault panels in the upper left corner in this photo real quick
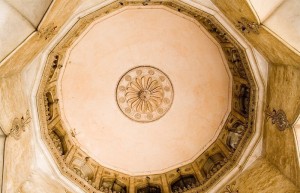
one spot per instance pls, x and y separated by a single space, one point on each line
18 19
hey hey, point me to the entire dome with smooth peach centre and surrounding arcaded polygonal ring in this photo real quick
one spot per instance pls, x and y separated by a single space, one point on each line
147 96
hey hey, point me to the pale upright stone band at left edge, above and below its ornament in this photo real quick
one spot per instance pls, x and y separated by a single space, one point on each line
18 154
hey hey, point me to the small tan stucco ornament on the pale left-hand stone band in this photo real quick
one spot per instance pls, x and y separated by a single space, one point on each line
18 126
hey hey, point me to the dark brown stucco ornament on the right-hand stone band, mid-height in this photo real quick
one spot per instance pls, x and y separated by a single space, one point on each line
279 119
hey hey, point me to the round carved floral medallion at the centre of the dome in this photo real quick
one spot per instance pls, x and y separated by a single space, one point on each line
144 94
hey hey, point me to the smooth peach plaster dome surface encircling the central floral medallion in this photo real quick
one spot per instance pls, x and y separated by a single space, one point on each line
193 64
